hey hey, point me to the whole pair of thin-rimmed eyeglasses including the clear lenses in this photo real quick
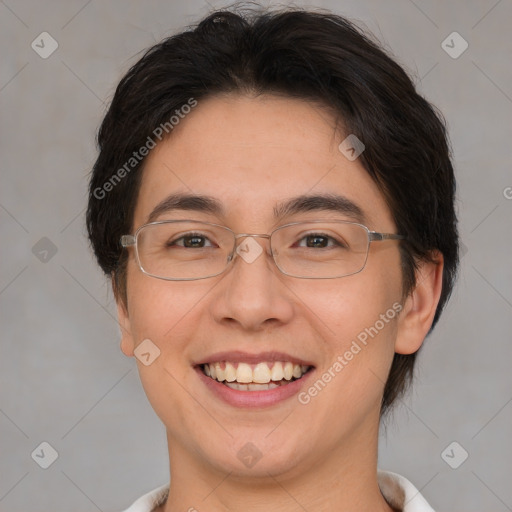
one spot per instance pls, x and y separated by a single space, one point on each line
186 250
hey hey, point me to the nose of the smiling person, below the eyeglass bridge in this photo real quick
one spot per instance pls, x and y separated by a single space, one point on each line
252 294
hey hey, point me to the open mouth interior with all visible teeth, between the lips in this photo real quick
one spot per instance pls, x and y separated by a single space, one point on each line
261 376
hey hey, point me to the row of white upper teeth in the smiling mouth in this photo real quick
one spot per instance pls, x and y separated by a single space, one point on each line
260 373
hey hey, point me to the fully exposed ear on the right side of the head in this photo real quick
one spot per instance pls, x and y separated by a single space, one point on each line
417 315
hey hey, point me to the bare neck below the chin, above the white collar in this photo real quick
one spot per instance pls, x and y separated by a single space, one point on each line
344 479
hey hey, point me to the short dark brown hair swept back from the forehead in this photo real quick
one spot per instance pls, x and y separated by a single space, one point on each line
318 57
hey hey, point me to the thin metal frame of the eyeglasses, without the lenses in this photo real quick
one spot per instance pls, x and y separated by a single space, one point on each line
127 241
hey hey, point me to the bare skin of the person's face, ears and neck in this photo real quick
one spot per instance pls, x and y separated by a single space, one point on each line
252 153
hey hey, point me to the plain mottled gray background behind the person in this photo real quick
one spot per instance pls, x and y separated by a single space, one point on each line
63 377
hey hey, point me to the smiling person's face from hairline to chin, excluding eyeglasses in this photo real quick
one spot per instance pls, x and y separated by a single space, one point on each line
253 155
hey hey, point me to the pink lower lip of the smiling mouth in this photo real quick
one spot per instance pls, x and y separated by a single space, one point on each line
264 398
